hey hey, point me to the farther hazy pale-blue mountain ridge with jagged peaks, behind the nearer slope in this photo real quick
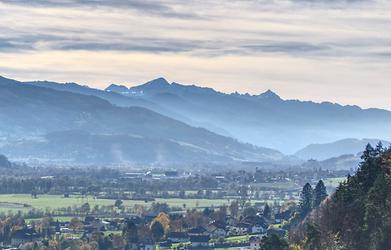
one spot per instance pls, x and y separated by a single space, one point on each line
265 119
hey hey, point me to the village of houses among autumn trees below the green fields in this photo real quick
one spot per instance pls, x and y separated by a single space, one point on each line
221 228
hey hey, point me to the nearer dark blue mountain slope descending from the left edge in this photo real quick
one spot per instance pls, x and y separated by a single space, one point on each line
42 123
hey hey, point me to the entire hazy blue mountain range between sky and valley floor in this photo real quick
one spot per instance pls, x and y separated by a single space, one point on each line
163 123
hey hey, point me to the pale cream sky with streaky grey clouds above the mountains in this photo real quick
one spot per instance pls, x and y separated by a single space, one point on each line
320 50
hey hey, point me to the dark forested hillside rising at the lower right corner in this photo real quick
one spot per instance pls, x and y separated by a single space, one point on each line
358 214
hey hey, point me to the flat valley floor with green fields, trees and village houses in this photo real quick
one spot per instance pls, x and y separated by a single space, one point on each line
153 208
